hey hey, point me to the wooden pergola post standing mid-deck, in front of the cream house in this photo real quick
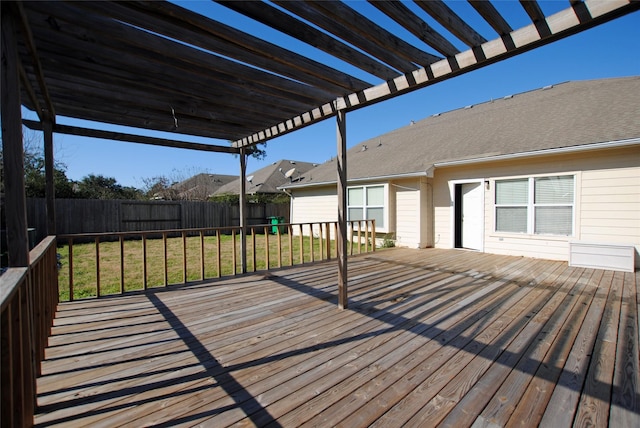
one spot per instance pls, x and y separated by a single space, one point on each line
342 208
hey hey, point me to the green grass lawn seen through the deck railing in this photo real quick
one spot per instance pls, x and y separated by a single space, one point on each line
85 271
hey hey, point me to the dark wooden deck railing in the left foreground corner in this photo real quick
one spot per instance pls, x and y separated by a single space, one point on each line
29 298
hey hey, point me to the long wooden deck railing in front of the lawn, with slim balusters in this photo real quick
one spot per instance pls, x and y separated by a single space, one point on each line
115 263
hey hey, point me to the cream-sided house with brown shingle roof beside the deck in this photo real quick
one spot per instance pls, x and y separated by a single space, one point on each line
525 175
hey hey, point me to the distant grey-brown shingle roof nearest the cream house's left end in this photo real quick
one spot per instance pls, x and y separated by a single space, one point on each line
269 178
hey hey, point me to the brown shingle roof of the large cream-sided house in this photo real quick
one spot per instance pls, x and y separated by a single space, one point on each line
569 114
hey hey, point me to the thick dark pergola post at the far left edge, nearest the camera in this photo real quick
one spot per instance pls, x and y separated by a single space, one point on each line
13 151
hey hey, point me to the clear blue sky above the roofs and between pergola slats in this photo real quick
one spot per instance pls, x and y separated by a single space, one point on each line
606 51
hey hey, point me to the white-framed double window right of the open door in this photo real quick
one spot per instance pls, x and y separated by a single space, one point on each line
535 205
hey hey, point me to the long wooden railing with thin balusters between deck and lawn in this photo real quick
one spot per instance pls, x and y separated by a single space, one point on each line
314 245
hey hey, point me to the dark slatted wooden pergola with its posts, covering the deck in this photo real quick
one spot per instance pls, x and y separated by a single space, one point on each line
162 67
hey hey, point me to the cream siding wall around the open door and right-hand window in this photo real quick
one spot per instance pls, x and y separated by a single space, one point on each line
607 201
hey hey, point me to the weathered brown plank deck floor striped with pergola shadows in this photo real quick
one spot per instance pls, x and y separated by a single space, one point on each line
431 338
